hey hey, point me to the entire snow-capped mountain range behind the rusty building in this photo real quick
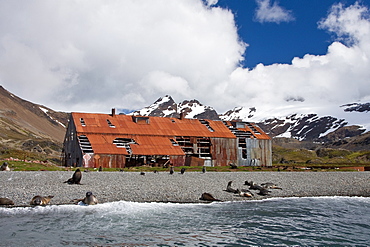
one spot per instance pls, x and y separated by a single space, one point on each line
326 124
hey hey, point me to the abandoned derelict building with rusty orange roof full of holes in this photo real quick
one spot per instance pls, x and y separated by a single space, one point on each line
118 141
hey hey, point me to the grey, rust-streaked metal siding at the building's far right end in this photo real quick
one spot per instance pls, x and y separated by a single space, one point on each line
259 153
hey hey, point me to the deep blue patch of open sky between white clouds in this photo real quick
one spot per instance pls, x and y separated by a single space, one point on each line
279 40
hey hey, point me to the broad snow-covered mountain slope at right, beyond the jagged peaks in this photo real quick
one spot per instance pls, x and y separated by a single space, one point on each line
305 123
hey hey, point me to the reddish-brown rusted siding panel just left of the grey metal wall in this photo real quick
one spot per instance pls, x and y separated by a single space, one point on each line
224 151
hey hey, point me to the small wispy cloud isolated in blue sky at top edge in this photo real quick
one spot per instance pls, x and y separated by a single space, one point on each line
272 12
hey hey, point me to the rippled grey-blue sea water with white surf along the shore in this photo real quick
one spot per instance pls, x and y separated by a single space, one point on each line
311 221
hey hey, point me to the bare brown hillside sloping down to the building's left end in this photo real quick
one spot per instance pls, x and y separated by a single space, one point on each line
30 126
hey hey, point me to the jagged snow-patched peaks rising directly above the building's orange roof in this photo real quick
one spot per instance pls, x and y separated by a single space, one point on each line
167 107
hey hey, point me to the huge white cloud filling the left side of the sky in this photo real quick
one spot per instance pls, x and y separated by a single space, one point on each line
75 55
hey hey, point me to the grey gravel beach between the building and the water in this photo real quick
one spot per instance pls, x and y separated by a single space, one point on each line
180 188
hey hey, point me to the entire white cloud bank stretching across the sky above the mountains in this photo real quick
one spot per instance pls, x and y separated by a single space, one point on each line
94 55
